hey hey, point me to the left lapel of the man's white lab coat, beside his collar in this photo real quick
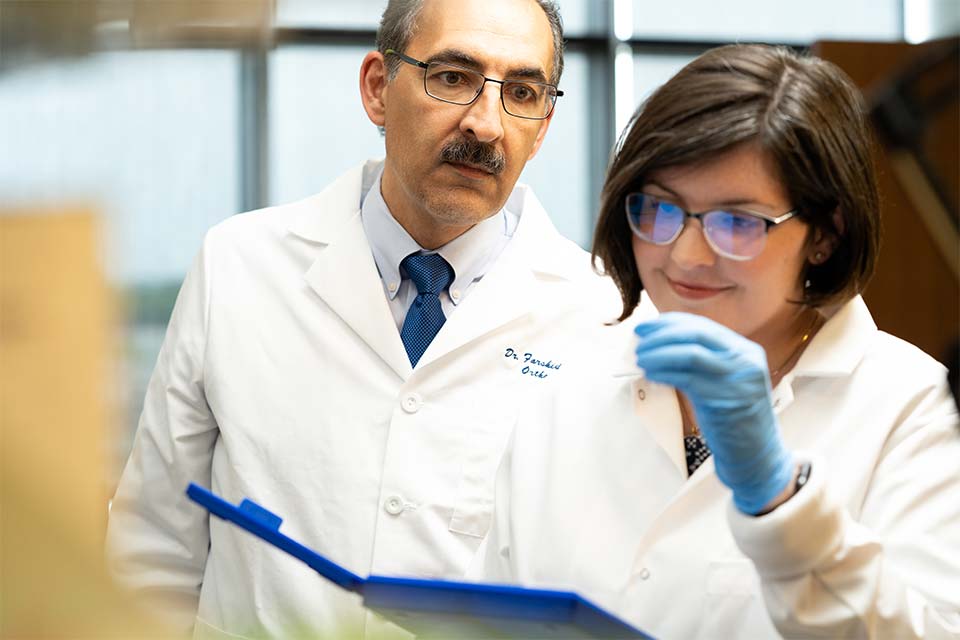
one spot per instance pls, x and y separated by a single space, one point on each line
345 276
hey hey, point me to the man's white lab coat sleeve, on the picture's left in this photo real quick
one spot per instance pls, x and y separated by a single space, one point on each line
157 540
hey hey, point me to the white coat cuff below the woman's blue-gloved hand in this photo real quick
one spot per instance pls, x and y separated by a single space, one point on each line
798 535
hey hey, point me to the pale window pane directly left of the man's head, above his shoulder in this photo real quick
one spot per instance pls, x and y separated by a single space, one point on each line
318 128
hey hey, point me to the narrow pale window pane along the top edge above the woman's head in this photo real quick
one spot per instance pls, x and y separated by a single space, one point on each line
763 20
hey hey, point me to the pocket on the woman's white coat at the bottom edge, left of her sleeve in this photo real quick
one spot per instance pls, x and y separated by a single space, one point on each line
733 600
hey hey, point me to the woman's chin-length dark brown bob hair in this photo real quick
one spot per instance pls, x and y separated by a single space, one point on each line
805 113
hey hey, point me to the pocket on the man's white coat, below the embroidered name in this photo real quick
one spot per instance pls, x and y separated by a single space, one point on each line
483 450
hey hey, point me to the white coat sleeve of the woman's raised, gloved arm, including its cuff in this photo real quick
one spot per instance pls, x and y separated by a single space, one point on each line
894 571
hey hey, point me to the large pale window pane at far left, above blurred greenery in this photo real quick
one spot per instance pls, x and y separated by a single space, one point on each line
150 136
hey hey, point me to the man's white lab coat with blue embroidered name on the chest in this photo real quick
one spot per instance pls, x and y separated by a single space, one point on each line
283 379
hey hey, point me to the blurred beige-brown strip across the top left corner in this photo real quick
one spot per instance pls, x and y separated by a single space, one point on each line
34 30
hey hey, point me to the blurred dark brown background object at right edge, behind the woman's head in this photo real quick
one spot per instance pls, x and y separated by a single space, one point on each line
912 92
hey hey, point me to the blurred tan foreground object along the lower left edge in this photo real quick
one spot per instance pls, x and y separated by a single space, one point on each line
55 361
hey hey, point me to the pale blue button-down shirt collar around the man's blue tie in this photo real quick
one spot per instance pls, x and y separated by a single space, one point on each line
470 254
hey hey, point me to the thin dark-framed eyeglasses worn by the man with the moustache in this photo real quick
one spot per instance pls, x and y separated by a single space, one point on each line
458 85
